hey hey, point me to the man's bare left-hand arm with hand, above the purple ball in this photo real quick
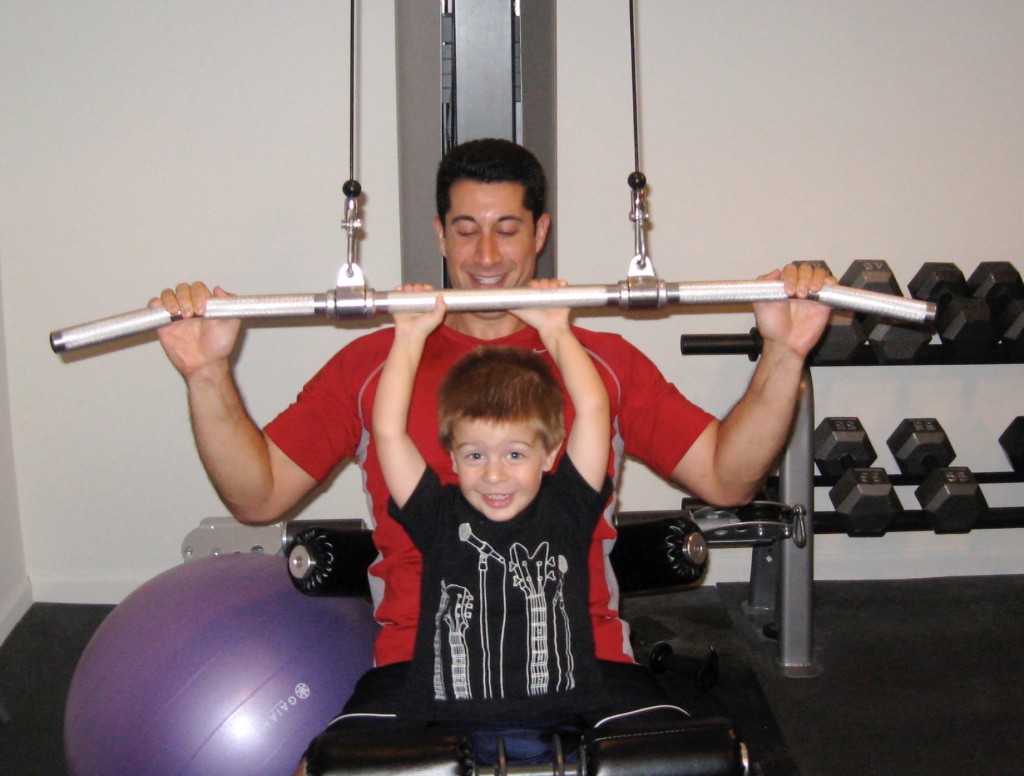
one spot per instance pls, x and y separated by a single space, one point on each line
254 479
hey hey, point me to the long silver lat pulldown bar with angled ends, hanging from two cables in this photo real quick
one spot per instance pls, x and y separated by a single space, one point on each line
364 303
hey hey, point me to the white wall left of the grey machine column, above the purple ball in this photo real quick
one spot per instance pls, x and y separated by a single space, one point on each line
147 144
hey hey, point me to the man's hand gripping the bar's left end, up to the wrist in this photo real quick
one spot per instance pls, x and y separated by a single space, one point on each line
195 343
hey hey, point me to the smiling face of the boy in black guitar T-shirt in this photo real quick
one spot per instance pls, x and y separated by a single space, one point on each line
499 465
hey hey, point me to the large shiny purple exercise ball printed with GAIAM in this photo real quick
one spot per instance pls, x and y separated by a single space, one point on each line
216 667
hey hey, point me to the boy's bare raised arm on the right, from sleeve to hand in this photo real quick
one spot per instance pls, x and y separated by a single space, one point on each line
590 439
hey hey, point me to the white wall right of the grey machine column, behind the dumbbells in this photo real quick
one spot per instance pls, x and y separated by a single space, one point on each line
808 131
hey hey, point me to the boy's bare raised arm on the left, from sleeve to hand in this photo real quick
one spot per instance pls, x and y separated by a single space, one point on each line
401 461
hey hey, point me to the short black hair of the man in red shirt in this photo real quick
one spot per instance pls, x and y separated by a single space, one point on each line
493 160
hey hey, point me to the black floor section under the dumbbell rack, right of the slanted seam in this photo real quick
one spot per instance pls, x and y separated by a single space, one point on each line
919 677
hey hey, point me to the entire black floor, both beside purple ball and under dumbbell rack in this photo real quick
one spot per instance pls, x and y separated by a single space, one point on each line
918 677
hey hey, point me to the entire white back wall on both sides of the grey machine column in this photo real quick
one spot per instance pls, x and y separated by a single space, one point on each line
144 144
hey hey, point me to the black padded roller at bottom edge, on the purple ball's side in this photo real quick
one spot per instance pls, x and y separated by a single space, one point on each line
423 752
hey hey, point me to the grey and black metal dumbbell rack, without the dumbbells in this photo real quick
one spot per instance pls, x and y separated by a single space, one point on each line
783 574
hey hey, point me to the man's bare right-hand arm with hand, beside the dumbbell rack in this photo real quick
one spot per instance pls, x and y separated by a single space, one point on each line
729 462
